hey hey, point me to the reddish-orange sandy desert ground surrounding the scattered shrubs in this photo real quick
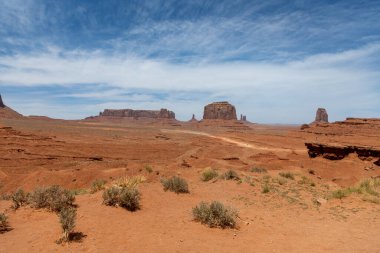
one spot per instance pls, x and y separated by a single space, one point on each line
296 215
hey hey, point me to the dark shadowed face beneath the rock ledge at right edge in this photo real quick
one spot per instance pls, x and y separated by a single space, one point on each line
338 152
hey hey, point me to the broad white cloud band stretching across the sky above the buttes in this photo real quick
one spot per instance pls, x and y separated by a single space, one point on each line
286 92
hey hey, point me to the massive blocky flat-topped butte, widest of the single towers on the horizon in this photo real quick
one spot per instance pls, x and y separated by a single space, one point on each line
220 110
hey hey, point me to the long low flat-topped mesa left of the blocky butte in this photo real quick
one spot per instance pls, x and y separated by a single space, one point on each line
129 113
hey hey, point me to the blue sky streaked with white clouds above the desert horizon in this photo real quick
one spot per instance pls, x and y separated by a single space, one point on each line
276 61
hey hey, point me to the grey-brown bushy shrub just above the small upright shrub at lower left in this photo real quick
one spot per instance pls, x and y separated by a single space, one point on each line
53 198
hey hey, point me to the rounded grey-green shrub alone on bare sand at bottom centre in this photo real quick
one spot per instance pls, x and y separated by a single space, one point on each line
215 215
